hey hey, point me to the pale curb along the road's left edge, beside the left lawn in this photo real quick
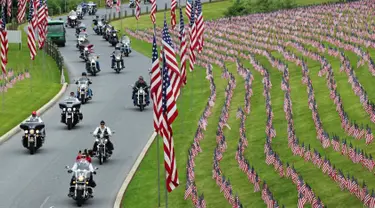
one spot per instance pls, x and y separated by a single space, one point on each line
43 109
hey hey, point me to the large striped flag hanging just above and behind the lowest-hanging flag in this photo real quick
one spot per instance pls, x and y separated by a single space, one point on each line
172 65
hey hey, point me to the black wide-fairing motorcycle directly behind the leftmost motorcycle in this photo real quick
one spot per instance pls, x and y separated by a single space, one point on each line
70 114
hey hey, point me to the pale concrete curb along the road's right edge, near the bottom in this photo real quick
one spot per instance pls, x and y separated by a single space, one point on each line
132 171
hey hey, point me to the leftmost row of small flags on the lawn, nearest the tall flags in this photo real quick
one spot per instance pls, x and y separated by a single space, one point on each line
191 190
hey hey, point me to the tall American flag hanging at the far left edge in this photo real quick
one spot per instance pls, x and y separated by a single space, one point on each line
4 43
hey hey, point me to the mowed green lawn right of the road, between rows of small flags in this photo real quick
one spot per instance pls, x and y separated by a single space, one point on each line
191 106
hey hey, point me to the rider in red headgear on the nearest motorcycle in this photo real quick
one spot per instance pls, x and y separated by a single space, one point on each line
91 184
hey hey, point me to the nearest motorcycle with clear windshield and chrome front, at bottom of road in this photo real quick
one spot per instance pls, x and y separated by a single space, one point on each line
81 179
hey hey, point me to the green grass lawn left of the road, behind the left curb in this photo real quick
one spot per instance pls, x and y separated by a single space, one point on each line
29 94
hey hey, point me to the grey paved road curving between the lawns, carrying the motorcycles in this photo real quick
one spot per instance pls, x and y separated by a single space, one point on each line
41 180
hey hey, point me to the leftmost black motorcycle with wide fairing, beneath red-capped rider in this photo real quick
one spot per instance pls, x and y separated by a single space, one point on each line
32 139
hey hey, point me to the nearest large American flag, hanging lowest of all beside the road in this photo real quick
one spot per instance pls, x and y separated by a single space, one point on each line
169 113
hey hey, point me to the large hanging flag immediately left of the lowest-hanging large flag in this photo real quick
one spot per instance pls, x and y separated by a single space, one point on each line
156 86
